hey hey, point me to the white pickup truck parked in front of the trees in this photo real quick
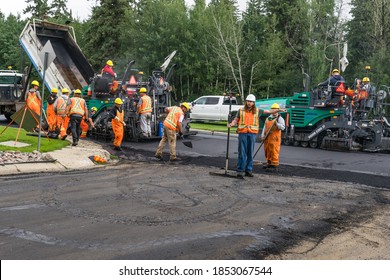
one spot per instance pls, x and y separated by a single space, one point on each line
213 108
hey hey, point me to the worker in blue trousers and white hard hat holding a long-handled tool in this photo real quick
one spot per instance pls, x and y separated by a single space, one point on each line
247 119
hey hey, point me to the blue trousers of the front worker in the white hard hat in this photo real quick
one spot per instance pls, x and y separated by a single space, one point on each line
246 145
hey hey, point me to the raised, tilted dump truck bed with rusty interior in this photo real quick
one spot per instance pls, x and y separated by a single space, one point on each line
70 69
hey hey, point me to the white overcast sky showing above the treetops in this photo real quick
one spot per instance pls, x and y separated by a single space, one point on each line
80 8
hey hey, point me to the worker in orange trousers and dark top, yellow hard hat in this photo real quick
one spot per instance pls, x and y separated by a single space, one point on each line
116 116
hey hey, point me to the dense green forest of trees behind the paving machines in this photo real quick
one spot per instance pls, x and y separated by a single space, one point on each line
265 50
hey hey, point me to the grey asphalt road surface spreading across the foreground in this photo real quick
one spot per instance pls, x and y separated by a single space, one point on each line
146 209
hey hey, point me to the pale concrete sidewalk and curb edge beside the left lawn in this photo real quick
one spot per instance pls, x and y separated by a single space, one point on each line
69 158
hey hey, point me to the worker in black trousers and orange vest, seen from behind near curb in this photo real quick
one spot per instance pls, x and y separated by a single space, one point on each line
76 109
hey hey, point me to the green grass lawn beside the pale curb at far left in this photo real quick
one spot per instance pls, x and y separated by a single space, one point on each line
47 144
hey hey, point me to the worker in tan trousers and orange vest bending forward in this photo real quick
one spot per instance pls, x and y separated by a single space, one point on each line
172 124
